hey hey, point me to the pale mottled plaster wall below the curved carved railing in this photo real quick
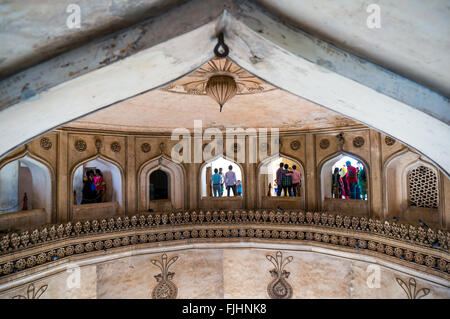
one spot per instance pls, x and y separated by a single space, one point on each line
239 272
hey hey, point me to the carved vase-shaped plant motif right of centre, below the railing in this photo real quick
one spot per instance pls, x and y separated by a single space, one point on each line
279 288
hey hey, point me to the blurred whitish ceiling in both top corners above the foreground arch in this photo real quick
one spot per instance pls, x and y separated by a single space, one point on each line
413 40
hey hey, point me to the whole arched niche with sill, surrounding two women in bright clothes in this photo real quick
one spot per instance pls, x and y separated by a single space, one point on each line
113 202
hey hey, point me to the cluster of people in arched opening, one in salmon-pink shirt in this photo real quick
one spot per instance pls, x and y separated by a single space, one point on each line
288 180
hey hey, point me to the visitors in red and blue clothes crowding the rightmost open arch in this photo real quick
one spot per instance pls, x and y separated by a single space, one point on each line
349 182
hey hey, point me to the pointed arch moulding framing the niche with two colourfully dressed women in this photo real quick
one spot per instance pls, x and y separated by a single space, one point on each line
121 188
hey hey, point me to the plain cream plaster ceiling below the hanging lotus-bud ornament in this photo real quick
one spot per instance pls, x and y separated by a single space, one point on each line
162 111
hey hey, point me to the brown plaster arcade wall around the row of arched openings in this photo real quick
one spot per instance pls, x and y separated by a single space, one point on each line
134 154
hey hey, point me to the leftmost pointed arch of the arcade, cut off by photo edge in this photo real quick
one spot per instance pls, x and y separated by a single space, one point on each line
47 181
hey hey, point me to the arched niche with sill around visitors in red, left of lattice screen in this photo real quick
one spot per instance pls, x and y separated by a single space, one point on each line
345 206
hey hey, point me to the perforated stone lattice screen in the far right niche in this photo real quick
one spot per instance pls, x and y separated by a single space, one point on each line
423 188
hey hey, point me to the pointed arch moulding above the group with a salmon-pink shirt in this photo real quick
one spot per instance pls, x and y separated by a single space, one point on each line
261 190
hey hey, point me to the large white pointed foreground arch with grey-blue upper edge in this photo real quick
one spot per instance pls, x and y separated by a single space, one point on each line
259 42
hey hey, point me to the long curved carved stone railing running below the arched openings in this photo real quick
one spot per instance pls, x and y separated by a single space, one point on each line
425 250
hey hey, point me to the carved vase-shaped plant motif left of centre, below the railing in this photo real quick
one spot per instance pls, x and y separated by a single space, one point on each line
165 289
